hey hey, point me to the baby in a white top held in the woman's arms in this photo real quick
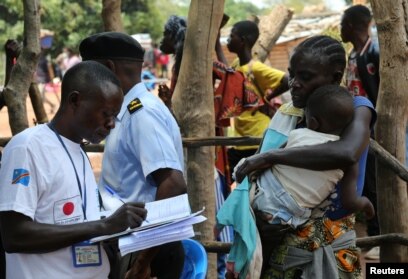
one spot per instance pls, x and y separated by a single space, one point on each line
286 194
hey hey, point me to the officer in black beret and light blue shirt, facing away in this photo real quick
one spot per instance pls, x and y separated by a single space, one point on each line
143 157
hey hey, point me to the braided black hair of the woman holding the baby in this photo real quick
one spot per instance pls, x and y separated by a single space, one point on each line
324 46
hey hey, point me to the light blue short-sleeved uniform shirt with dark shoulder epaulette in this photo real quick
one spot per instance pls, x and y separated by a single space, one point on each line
145 139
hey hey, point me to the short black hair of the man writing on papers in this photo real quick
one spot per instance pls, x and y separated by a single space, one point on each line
83 76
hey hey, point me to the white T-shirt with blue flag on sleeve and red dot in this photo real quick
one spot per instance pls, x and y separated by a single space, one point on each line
37 179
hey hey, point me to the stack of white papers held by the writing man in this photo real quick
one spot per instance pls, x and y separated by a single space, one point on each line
167 221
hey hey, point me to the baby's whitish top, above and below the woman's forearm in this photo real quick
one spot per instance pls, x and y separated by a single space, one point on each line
308 187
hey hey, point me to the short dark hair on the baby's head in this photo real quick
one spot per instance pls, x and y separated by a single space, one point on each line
333 103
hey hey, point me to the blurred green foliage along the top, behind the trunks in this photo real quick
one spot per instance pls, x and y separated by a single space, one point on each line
71 21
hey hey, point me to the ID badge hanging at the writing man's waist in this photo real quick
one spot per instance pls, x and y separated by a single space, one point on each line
86 254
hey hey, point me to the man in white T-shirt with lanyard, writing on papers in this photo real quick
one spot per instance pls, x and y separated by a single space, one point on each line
49 200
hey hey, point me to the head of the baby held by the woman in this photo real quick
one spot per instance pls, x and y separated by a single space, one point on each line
329 109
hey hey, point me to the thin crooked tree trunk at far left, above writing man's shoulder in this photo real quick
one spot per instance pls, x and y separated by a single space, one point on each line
15 93
